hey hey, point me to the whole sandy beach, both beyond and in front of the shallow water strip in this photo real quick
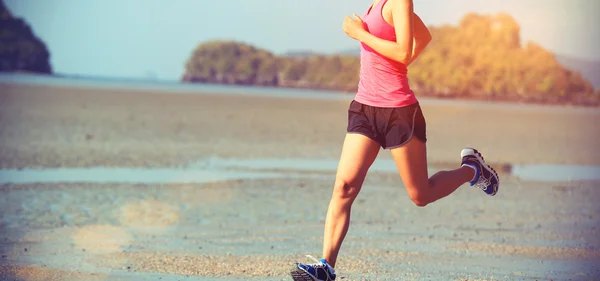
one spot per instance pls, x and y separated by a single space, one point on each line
254 229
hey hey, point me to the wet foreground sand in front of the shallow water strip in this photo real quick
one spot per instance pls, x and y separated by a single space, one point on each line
256 229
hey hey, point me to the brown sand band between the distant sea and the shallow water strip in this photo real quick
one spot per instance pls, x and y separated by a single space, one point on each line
50 127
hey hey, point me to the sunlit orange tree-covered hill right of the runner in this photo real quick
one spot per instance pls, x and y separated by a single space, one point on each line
483 57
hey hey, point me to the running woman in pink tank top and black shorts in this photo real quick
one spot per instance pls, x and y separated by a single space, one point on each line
385 113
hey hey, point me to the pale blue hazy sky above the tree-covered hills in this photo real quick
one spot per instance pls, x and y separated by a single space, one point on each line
154 38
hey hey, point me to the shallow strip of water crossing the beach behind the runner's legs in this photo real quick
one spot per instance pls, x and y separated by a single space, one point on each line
216 169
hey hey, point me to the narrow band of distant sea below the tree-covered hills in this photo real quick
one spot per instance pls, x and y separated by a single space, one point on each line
140 84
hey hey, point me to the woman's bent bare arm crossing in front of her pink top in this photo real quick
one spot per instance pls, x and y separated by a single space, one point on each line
402 49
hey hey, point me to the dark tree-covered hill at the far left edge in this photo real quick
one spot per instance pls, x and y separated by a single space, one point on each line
20 49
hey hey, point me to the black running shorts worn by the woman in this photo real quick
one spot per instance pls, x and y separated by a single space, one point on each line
390 127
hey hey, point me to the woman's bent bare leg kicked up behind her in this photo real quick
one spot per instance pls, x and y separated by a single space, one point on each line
411 160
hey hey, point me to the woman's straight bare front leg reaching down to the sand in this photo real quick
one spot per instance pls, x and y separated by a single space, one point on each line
358 154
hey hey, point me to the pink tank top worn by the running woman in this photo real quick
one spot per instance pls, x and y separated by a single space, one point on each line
383 82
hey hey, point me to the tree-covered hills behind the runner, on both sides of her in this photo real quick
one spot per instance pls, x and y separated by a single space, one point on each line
481 58
